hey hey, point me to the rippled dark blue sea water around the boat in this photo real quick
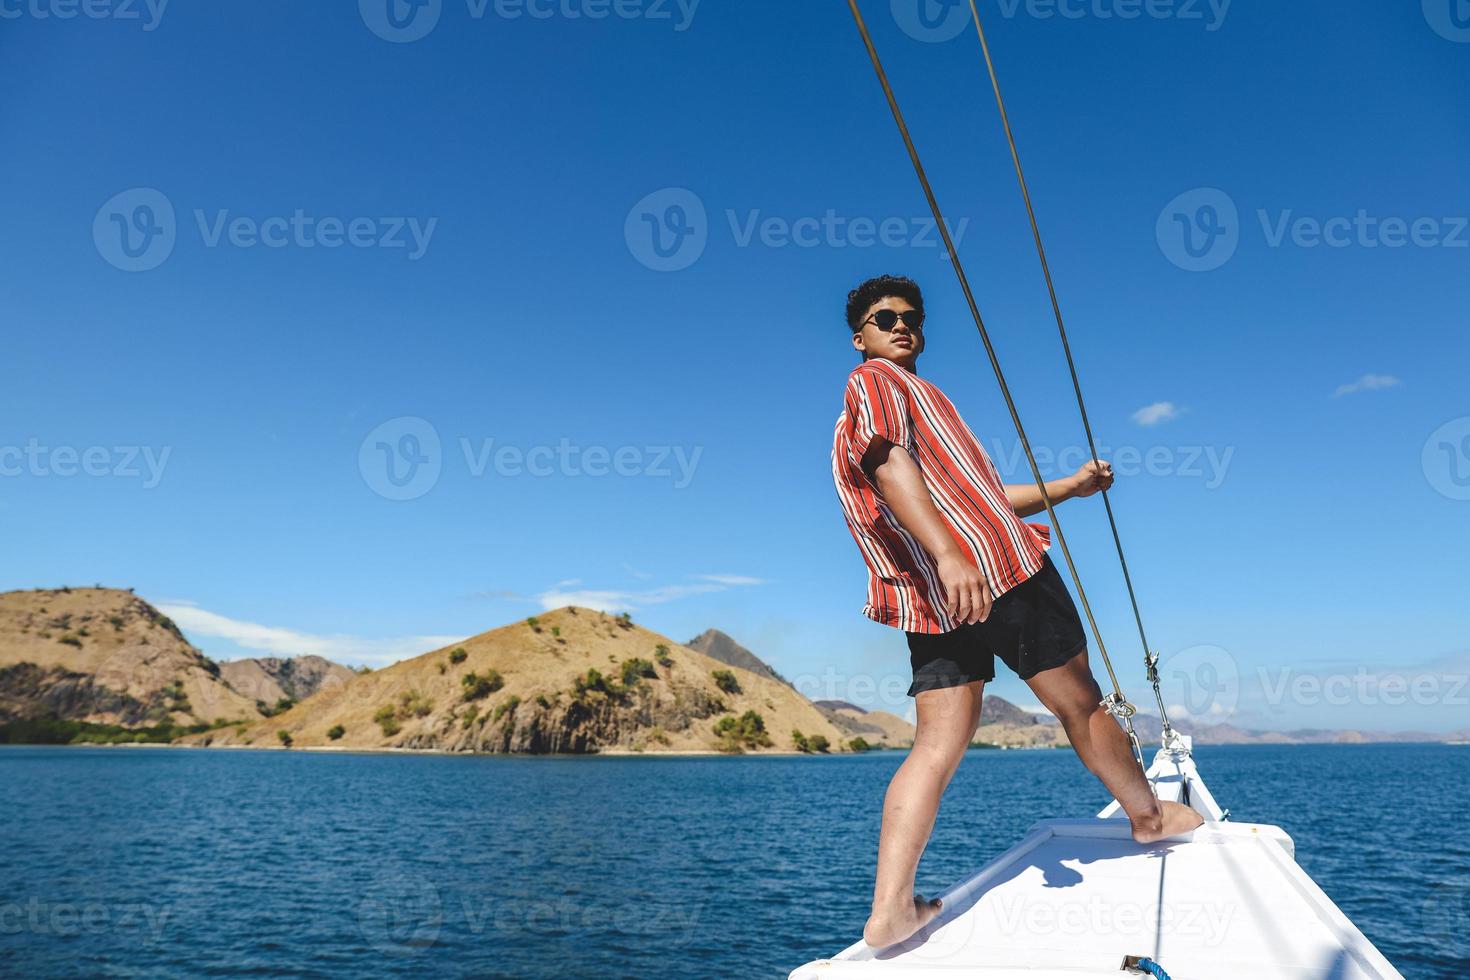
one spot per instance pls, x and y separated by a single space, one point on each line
176 863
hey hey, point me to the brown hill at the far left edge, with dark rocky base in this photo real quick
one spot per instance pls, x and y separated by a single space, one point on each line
108 657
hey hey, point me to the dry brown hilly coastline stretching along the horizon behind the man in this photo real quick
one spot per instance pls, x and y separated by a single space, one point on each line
104 666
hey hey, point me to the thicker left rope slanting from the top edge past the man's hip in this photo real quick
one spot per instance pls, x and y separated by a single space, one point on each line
1115 703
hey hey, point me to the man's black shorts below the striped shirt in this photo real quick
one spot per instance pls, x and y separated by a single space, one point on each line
1033 628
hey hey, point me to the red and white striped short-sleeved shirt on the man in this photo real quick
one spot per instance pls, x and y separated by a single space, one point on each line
903 581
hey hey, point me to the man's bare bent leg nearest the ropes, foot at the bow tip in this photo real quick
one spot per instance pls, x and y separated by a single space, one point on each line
1072 694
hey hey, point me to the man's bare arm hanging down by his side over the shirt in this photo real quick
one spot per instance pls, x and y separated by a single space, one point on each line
967 593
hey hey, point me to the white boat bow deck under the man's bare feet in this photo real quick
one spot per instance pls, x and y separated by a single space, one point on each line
1075 897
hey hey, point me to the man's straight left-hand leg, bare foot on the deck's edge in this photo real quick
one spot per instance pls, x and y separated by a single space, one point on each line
947 722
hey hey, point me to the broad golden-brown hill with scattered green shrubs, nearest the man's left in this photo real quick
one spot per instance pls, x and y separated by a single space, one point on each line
553 684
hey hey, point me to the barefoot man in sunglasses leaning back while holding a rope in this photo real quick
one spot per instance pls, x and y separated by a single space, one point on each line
953 565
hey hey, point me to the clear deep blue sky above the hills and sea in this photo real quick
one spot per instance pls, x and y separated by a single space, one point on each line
580 280
